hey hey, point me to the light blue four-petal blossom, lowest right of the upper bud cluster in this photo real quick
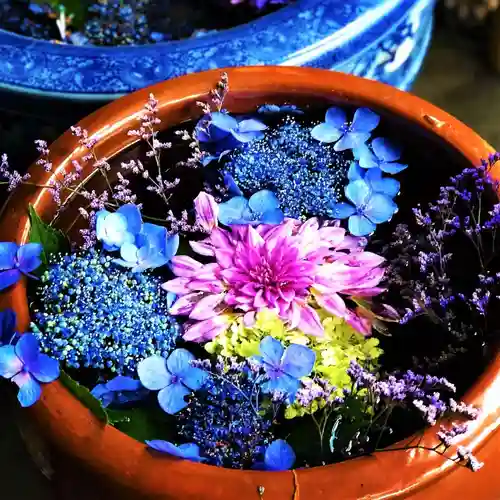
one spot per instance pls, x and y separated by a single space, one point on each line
367 208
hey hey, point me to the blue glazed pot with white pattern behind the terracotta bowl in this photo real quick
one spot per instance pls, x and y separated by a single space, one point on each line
380 39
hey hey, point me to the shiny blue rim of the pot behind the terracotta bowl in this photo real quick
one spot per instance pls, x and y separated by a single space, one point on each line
317 26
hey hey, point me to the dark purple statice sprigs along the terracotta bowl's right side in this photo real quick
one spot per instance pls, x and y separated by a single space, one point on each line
423 257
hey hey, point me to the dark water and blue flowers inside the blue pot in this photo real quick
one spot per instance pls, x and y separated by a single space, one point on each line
127 22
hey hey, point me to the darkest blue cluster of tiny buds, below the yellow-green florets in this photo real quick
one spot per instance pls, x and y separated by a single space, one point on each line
222 420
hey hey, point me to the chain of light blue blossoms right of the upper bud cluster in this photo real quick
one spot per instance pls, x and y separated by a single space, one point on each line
370 194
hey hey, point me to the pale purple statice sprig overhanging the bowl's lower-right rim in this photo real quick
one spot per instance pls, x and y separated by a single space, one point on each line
383 393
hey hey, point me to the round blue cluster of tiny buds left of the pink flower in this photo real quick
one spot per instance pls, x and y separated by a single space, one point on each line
97 316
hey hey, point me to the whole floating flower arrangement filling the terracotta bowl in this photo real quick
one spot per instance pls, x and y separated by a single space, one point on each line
271 300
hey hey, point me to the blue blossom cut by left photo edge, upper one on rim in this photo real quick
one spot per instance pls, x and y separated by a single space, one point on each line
17 260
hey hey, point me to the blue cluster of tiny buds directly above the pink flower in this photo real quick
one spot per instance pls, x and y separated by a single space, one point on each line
306 175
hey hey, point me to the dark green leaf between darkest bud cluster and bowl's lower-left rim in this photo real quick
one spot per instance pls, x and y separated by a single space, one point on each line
143 423
